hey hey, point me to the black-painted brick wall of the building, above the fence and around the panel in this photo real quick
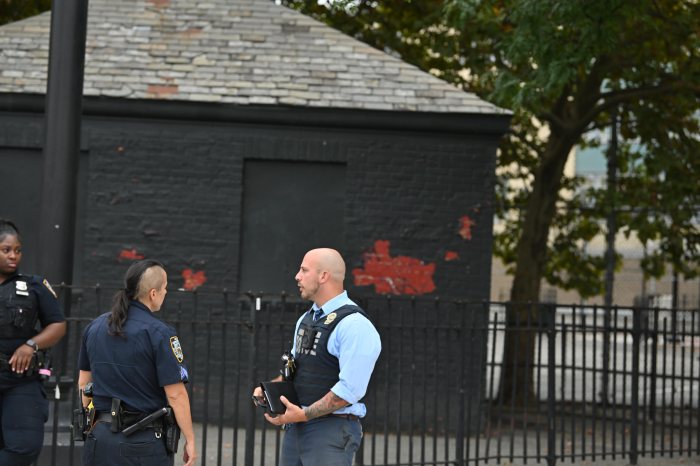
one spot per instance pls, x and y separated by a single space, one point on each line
173 190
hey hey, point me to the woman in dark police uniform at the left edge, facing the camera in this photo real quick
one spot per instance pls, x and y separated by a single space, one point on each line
24 300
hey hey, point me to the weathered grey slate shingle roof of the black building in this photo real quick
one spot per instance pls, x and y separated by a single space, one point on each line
229 51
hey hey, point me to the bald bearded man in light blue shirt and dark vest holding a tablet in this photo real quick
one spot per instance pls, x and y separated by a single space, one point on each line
336 350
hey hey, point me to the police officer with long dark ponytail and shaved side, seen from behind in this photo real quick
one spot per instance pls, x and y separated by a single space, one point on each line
135 362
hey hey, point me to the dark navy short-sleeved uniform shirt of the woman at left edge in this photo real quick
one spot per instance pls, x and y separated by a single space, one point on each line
49 310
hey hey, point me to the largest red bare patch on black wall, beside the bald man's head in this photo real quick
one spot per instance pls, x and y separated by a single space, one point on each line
394 275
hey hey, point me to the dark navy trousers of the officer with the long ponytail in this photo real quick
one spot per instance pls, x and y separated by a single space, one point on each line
142 448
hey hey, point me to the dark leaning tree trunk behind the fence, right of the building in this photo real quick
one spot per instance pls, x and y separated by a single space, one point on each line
523 314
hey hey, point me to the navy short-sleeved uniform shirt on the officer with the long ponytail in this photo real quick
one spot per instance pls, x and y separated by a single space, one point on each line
135 367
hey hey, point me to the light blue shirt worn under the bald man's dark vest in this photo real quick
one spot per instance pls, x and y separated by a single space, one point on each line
356 344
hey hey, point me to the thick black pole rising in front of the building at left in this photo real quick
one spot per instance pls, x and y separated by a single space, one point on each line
64 92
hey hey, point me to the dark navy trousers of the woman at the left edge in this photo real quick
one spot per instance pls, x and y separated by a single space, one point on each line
24 409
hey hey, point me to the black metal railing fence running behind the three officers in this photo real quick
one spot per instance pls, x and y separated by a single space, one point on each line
589 383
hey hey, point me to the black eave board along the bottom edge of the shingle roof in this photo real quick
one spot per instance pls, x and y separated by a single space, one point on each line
489 124
